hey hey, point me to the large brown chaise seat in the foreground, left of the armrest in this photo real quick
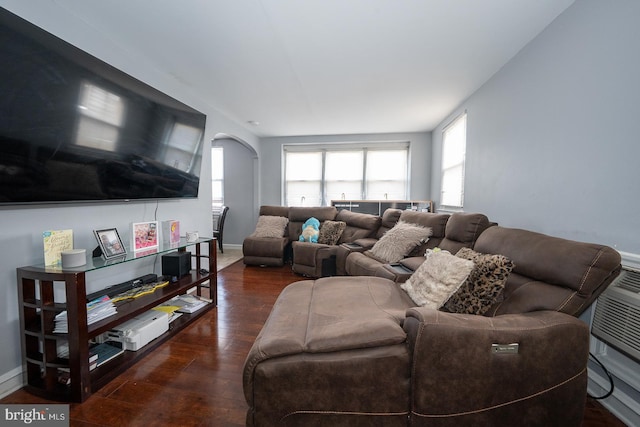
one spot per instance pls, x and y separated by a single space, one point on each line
332 352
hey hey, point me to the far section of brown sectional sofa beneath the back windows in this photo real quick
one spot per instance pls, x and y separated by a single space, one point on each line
351 255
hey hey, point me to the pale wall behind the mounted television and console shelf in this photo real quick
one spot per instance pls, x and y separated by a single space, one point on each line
21 239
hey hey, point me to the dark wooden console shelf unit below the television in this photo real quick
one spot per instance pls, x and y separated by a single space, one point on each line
38 309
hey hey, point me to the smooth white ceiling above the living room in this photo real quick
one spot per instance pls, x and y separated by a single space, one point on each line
318 67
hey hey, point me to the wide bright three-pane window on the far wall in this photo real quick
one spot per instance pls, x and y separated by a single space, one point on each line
316 174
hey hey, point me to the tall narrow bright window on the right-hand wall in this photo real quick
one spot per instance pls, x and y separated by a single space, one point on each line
454 141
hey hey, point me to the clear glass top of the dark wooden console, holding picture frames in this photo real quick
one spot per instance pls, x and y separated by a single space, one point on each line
99 262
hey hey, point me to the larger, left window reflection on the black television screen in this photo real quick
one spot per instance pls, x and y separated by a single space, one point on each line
101 117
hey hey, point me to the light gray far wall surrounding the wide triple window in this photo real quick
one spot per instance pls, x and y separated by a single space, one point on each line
271 160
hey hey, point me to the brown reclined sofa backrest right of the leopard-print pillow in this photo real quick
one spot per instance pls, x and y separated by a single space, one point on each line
550 273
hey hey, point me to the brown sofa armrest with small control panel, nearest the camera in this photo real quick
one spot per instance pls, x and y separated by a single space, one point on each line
512 368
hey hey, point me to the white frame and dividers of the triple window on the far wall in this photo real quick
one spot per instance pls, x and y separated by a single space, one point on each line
363 147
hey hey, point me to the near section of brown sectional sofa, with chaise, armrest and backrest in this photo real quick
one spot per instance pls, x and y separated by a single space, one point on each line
356 351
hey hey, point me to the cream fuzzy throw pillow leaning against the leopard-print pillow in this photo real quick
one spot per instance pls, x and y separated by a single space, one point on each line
437 278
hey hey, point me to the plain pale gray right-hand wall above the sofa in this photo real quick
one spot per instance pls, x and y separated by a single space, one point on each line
552 145
